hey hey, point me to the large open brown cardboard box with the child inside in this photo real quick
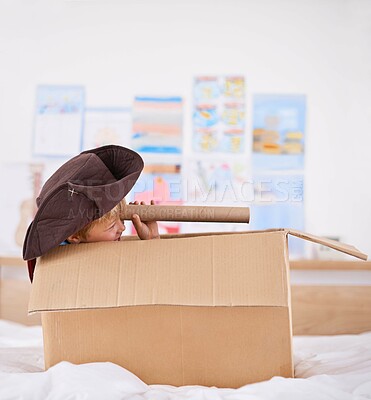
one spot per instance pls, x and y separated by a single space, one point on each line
209 309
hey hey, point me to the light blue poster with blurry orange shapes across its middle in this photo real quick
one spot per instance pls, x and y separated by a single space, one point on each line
278 132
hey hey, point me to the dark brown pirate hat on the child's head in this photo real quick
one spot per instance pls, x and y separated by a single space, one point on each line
80 191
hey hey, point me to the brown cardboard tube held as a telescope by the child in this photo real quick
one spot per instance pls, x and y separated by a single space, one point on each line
187 213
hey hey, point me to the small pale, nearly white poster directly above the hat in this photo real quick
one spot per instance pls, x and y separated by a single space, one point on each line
105 126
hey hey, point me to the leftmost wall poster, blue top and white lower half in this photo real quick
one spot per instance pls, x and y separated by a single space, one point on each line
58 121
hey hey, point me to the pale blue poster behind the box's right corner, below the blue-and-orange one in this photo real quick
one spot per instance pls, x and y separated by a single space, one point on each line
279 203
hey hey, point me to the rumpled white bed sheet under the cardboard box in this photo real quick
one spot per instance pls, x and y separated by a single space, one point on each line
326 367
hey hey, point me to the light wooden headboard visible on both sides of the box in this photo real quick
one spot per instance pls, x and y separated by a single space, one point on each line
316 309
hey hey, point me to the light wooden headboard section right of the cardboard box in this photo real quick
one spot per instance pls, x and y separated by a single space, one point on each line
330 309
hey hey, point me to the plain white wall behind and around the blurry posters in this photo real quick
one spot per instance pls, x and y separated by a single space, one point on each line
119 49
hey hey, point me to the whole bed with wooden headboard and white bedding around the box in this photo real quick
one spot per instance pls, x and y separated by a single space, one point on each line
332 345
